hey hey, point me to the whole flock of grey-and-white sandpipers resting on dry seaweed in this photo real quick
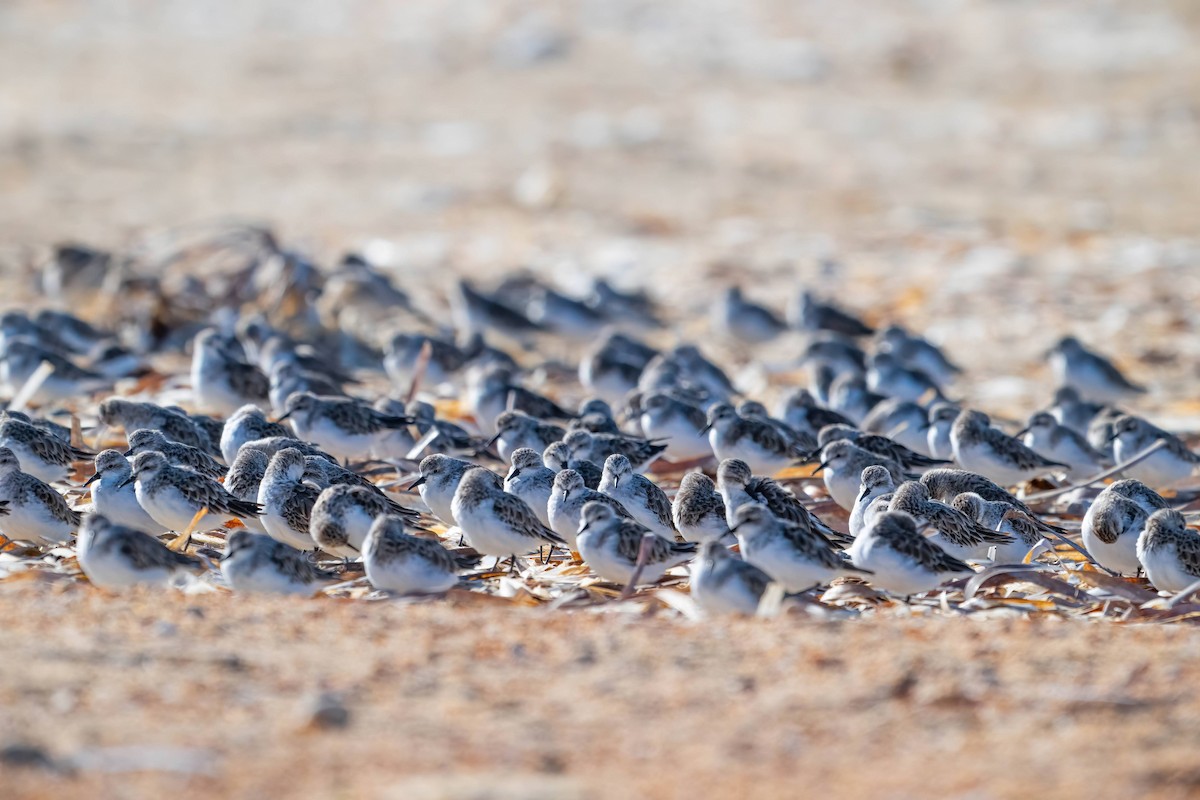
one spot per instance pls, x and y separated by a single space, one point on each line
641 464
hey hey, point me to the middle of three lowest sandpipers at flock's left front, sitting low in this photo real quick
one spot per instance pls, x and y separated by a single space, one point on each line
254 563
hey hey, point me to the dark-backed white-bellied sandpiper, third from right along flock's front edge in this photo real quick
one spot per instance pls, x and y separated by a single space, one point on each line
901 560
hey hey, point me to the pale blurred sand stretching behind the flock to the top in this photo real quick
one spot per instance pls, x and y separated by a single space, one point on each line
945 163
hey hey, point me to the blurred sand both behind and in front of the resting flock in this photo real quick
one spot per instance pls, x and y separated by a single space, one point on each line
994 172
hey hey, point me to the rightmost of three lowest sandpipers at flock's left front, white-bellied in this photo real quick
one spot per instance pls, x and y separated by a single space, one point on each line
398 562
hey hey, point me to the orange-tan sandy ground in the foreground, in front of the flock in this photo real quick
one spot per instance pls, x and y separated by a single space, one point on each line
461 700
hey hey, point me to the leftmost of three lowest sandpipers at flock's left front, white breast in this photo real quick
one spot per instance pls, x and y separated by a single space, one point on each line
115 557
